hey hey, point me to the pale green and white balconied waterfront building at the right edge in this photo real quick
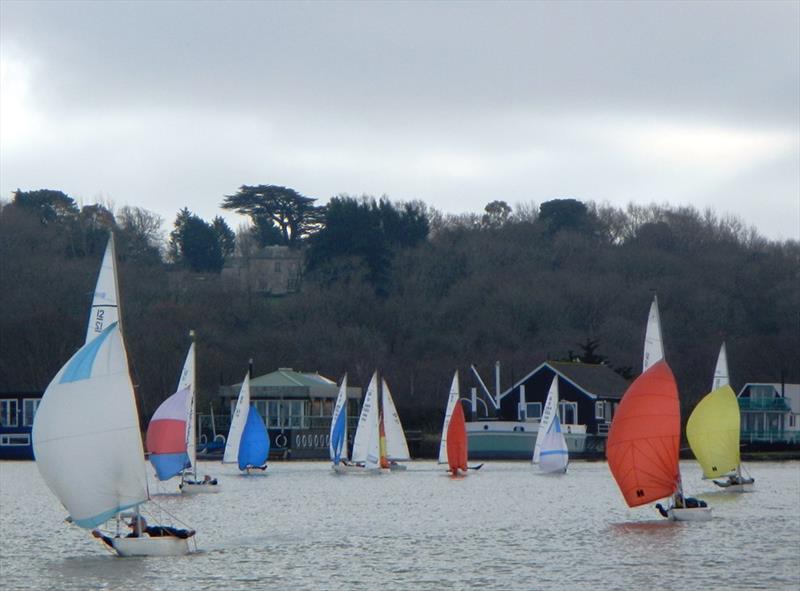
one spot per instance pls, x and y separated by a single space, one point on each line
770 413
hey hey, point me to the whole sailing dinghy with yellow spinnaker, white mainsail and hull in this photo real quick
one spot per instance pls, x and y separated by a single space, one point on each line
713 432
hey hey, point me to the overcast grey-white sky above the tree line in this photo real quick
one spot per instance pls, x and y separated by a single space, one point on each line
163 105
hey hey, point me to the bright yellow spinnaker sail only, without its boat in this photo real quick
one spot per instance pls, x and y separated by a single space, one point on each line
713 432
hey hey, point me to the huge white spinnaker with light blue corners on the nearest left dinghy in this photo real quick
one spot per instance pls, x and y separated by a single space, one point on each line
86 435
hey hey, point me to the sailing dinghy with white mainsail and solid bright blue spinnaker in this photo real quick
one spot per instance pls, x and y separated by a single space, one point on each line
248 441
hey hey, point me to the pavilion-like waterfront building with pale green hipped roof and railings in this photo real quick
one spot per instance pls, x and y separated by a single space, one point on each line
297 408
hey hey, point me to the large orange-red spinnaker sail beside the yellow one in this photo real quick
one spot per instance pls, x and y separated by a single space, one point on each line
644 439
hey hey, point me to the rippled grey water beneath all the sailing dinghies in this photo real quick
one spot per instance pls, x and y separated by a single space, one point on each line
505 527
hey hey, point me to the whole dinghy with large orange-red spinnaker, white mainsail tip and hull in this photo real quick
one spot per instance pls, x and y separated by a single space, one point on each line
643 444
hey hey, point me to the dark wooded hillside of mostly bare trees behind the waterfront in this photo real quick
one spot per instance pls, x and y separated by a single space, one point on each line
415 293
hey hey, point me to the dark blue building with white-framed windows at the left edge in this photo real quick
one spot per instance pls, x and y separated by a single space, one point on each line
17 410
